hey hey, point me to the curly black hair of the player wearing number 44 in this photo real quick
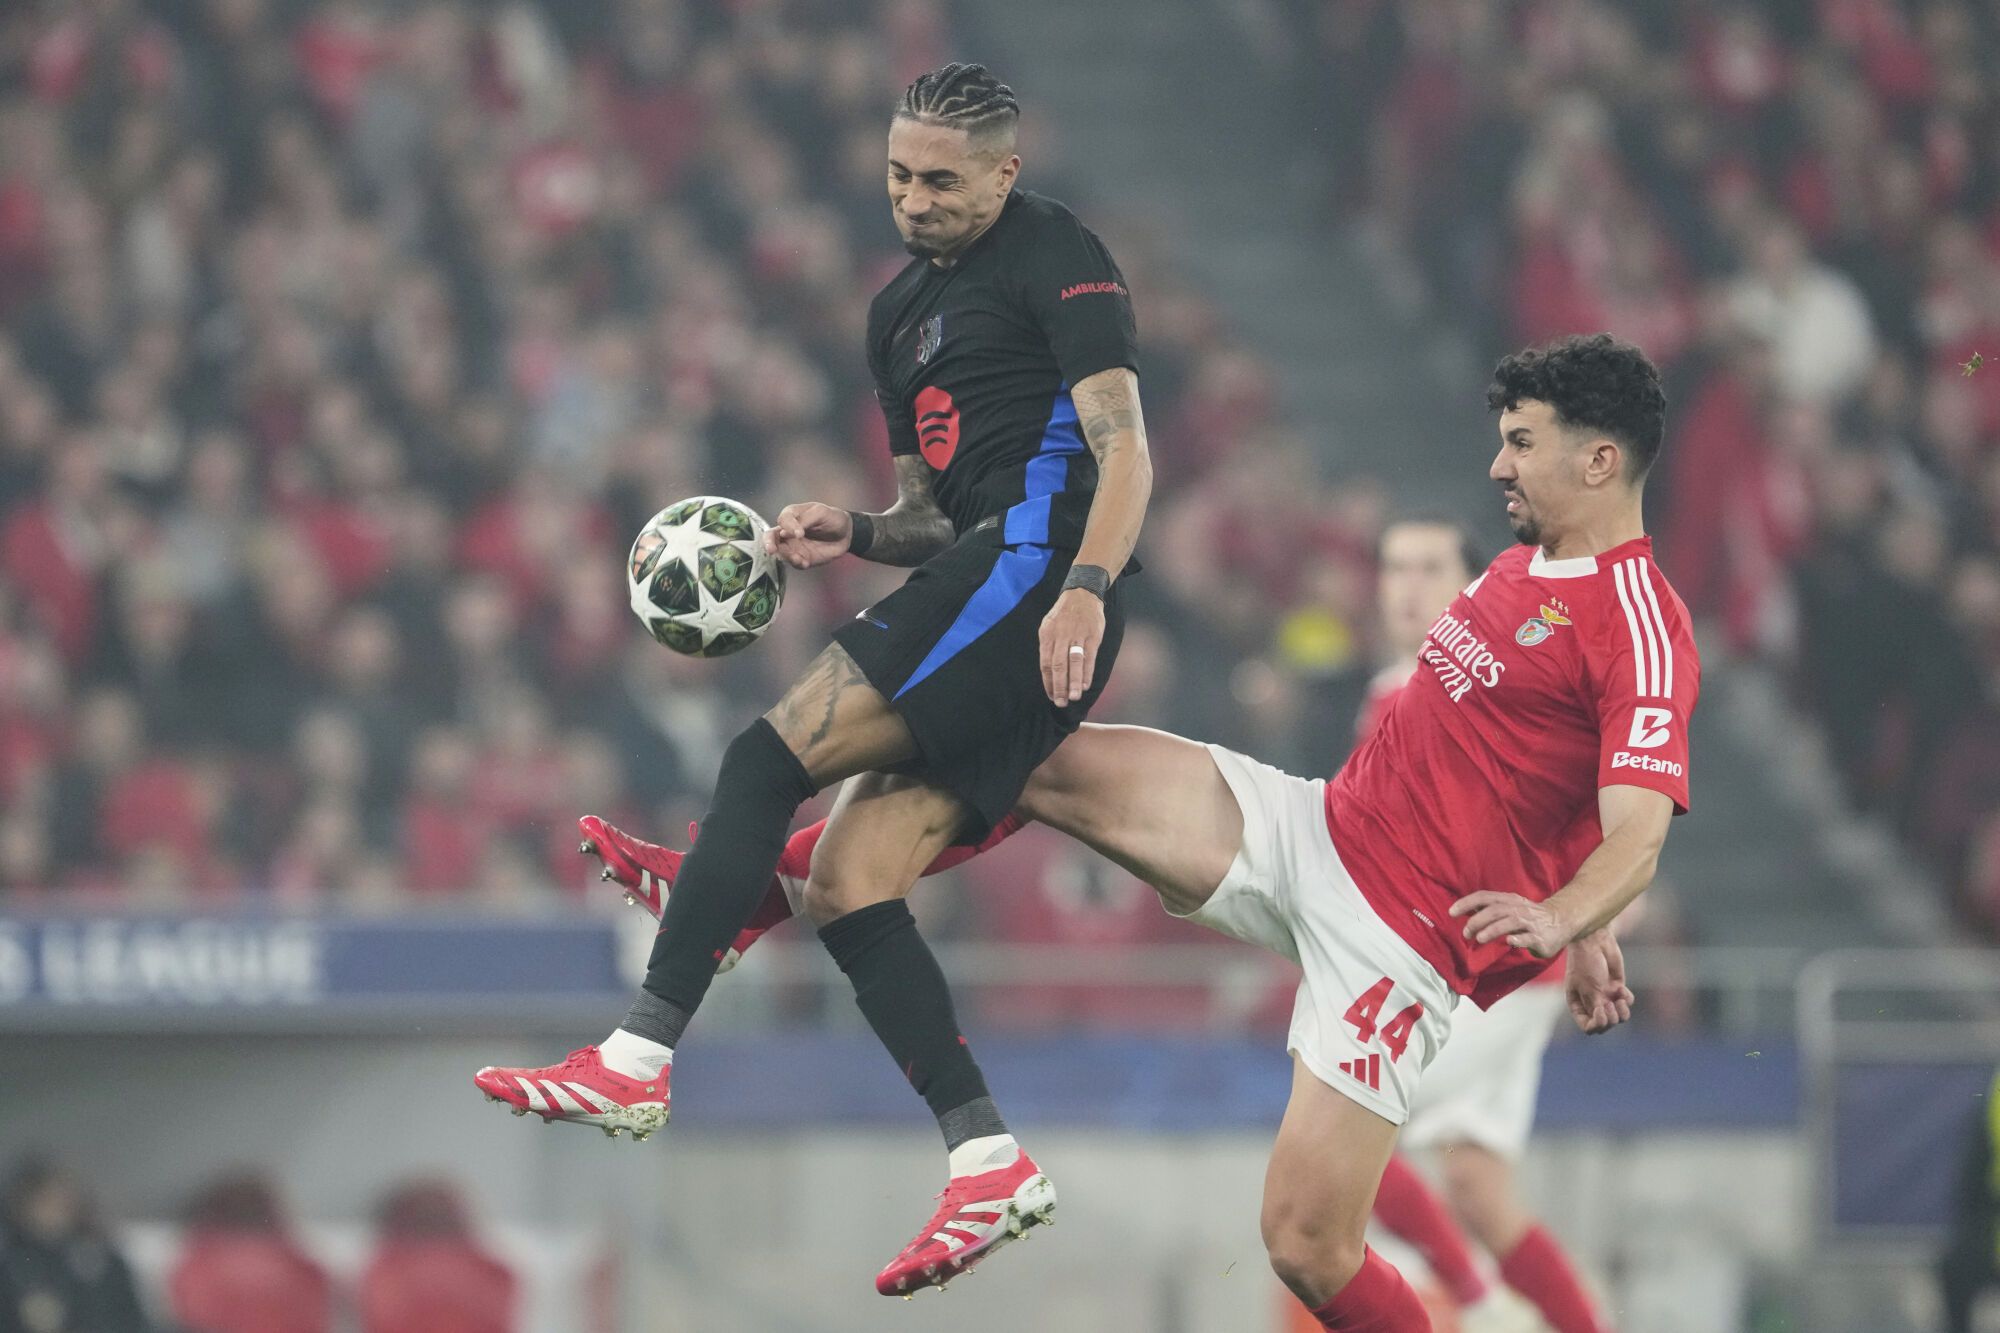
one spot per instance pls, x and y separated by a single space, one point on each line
1595 383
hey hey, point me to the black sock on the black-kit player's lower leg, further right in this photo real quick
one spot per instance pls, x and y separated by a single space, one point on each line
907 1002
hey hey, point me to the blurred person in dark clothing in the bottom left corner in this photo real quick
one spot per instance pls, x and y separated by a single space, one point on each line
59 1268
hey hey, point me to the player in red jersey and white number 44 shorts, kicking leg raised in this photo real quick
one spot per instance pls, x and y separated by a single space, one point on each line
1509 806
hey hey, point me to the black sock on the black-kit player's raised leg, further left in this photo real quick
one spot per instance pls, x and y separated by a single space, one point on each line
723 880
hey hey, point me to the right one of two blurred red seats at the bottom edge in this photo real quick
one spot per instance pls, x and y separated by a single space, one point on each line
429 1272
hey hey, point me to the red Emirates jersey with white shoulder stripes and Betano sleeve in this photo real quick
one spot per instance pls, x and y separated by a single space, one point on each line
1539 686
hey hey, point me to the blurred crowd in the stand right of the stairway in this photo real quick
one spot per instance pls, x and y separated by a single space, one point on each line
1797 213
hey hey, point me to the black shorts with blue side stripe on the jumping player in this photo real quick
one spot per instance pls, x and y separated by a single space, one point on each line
959 655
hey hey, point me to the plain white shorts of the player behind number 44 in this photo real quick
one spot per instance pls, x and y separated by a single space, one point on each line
1483 1086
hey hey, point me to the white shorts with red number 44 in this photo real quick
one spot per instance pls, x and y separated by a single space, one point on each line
1371 1014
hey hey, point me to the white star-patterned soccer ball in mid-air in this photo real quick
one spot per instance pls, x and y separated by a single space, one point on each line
701 579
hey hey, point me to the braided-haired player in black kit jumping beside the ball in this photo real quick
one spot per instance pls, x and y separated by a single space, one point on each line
1005 363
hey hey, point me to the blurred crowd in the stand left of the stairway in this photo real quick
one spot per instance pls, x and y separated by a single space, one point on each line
343 347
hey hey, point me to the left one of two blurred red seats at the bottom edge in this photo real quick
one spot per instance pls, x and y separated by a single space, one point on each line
241 1270
